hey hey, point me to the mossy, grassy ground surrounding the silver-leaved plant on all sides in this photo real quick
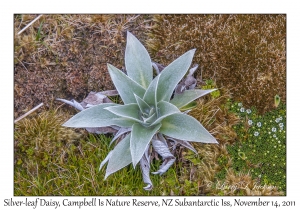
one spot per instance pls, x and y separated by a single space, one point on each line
65 56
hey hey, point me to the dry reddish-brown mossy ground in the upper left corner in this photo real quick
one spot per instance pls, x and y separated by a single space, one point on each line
66 56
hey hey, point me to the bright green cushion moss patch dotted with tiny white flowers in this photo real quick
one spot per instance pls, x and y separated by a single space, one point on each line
261 148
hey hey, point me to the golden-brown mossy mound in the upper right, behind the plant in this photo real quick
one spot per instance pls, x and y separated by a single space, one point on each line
244 53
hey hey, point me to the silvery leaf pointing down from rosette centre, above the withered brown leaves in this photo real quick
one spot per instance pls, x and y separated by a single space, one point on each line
140 138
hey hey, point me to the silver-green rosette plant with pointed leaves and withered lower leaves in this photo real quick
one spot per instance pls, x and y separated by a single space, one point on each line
150 114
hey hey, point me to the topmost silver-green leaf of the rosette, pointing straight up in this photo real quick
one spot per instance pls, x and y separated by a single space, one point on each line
137 61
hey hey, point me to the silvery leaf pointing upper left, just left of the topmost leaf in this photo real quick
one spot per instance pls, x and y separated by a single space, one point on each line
125 86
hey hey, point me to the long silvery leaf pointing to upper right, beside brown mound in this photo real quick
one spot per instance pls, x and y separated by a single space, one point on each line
172 75
